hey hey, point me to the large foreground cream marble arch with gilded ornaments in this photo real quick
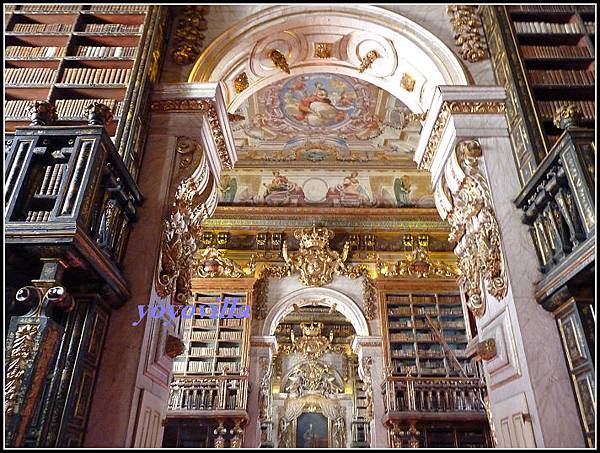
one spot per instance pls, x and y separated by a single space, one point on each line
404 48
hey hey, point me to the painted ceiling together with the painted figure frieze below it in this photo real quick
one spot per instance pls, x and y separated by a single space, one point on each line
325 140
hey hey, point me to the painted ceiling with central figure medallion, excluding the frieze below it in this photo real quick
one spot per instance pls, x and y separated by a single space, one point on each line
325 120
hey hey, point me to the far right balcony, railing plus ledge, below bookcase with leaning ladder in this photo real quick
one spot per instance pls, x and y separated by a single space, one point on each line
450 399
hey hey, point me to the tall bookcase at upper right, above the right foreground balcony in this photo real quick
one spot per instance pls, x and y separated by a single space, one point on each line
555 51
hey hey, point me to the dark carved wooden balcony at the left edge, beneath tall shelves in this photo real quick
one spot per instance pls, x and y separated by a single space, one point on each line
68 196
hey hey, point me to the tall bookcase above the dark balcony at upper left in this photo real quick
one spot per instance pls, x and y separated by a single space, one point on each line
71 55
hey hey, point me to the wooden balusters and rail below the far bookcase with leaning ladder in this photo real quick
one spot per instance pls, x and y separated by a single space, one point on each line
408 394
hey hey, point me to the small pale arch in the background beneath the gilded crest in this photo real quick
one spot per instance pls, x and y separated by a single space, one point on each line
327 297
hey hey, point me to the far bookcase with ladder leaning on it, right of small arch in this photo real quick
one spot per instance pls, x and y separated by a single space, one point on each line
412 346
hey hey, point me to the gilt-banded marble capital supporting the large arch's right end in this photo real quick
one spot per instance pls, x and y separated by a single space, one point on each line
458 113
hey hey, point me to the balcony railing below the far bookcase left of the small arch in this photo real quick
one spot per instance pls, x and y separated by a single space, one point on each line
208 393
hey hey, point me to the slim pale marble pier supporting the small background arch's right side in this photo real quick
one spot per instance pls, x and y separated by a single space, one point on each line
371 347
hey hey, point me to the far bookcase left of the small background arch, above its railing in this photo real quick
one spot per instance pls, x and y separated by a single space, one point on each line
215 346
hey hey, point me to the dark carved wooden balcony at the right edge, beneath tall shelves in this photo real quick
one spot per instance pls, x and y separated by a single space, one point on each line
558 205
